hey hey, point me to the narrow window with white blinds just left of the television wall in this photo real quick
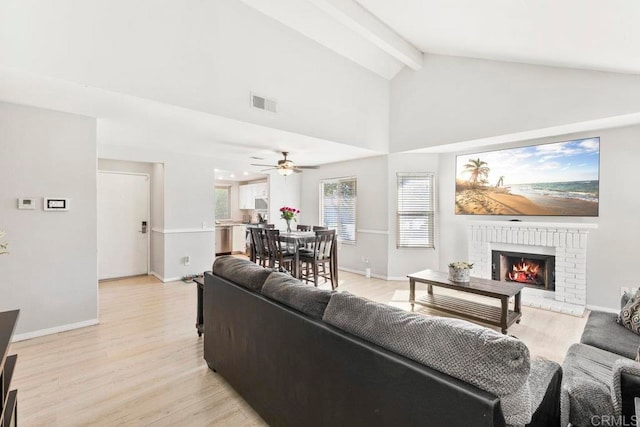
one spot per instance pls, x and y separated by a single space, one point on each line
415 215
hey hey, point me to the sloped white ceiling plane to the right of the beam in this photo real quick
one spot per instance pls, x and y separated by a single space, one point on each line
589 34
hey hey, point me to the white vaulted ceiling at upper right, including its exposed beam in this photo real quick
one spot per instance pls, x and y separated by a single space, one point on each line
384 36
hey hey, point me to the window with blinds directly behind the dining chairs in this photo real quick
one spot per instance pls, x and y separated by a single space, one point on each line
338 207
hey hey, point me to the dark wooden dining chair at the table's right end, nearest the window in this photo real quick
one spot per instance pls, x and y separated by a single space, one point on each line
315 262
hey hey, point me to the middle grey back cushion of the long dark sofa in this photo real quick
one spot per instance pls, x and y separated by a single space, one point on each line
293 293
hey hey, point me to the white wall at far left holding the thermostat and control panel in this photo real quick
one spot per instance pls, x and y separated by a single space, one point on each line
51 273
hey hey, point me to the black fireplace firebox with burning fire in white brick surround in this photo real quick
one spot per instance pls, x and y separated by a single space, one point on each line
533 270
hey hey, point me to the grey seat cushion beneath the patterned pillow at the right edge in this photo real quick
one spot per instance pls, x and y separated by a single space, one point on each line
603 332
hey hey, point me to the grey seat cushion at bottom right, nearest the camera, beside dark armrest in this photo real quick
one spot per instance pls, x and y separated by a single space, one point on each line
586 384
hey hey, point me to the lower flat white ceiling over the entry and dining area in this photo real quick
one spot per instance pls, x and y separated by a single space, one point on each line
133 122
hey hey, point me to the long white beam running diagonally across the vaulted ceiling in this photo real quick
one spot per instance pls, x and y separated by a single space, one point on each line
360 20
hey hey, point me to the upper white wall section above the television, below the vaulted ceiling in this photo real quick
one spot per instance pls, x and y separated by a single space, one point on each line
453 99
